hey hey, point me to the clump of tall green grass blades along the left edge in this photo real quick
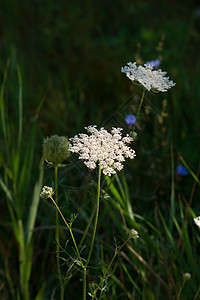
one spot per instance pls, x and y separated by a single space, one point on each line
22 199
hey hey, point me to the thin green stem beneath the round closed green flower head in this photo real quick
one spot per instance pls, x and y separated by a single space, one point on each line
58 238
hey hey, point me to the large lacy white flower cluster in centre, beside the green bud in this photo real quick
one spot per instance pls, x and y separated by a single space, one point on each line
109 150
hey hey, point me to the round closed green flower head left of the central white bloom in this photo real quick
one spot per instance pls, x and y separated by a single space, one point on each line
55 149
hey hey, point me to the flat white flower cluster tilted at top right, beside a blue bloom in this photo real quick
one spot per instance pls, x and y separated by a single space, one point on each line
148 77
